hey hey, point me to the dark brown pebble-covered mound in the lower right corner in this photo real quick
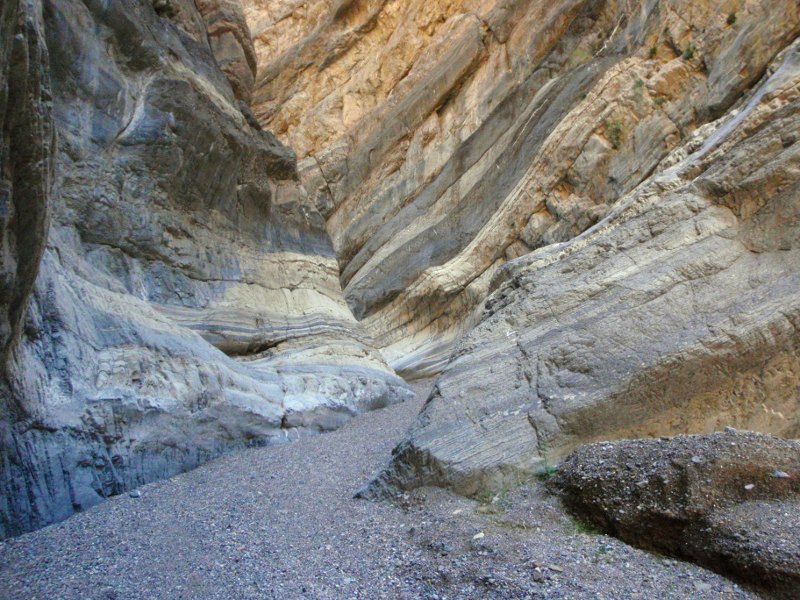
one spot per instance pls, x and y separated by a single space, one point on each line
728 501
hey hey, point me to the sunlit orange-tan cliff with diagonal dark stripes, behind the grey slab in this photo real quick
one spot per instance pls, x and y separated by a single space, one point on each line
442 138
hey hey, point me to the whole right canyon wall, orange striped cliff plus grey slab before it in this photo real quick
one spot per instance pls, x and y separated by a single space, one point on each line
584 212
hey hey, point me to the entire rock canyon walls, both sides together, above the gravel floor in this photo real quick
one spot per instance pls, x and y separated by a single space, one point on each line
230 223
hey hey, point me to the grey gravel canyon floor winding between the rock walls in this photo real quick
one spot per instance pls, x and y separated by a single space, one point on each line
281 522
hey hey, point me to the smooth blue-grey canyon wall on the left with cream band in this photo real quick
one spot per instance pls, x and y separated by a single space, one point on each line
187 300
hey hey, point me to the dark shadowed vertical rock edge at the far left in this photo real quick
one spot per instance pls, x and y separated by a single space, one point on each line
26 161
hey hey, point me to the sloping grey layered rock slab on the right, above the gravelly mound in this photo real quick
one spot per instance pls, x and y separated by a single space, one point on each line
678 312
